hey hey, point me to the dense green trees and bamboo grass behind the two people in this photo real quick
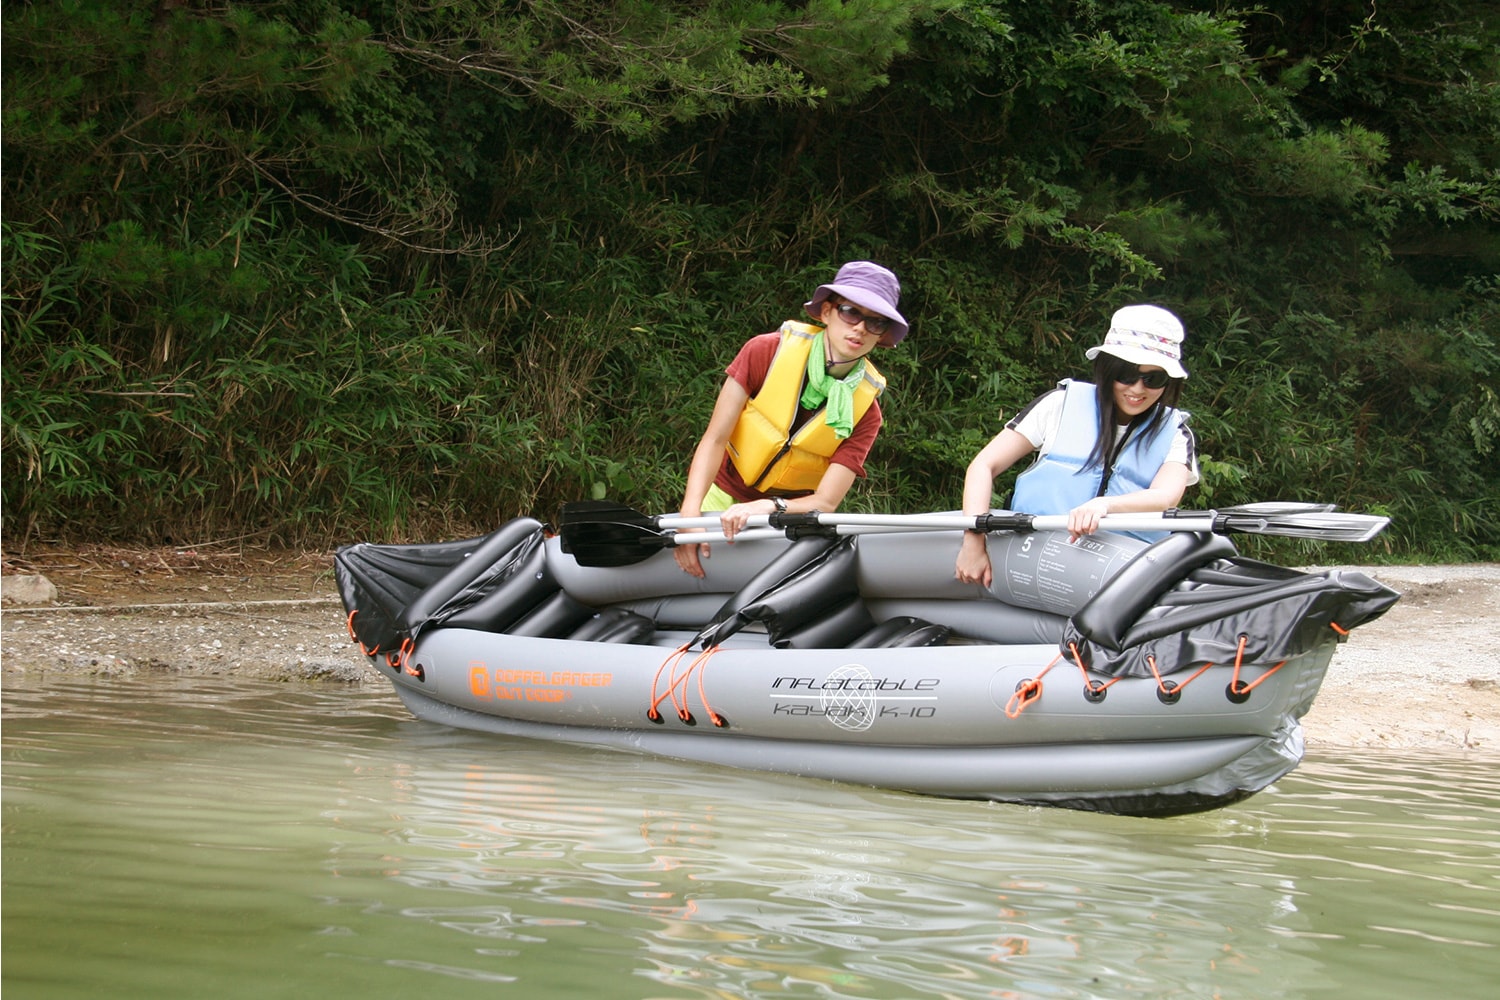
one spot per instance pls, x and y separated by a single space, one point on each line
314 271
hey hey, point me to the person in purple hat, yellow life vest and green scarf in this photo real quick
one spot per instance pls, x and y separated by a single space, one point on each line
799 413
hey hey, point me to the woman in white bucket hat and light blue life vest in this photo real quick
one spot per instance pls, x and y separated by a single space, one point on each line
1111 448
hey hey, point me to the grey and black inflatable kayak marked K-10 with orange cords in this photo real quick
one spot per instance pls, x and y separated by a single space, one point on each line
1115 674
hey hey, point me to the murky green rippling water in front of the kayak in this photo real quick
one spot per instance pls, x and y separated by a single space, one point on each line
229 839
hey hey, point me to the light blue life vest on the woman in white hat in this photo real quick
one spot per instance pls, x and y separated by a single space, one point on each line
1061 478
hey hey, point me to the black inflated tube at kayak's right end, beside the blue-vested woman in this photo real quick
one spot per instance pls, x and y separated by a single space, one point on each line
1109 615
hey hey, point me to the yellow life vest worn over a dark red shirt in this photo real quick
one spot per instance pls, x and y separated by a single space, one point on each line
766 452
